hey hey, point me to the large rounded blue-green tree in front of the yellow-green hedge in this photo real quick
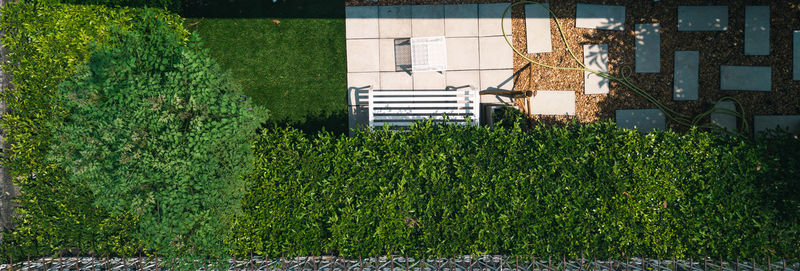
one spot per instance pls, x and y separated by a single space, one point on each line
157 130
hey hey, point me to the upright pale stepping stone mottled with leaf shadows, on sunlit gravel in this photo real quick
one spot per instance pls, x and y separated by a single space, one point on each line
595 57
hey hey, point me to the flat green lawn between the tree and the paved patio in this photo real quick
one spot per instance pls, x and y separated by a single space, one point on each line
295 66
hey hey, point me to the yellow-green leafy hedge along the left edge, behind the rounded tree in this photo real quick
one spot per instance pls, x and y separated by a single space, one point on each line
46 43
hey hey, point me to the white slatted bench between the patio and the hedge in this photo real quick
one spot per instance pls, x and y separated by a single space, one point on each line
402 108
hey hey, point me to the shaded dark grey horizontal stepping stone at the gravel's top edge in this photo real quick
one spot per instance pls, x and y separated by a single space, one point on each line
702 18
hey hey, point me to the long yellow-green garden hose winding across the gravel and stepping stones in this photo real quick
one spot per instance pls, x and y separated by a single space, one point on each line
623 79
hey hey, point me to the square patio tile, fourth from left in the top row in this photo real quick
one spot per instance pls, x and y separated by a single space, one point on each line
461 20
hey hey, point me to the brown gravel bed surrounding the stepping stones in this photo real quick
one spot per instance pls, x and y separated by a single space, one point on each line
716 48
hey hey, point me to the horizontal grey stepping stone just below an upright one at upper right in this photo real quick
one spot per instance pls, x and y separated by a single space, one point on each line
754 78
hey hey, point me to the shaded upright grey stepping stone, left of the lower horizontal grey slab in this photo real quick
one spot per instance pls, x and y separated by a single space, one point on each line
685 78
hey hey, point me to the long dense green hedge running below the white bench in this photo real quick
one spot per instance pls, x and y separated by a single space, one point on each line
594 189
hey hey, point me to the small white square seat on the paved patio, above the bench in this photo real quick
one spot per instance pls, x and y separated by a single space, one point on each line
428 54
